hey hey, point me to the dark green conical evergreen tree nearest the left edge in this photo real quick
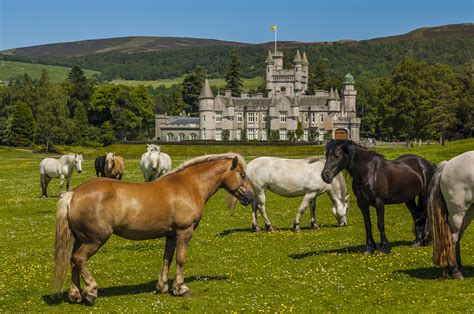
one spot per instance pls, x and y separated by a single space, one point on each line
22 128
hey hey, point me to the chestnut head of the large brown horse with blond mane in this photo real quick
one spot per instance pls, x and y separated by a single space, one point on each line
237 183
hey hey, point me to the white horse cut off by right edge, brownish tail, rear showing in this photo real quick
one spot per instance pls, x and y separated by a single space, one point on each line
450 211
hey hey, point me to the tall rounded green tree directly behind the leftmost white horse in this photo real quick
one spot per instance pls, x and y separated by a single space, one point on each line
53 124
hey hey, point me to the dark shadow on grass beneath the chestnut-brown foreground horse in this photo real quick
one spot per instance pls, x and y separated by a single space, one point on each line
129 289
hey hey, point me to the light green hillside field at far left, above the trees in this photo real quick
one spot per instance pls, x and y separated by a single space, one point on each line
9 69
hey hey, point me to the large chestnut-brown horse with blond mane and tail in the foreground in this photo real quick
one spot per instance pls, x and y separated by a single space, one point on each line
170 207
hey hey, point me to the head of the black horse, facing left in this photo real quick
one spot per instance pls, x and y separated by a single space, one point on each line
338 156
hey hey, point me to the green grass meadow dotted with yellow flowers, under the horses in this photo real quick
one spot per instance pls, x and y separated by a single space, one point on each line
228 267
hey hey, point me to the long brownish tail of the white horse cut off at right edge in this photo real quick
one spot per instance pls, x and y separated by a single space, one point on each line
443 252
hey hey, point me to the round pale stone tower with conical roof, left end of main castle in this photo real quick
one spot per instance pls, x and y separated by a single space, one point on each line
206 112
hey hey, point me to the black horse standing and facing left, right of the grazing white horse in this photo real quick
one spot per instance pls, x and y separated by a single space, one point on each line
377 181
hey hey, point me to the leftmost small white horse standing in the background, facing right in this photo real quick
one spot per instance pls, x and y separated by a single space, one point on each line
61 168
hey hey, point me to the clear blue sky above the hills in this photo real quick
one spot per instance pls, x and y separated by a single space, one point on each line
33 22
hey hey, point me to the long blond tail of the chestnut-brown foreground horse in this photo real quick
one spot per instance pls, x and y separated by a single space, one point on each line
63 243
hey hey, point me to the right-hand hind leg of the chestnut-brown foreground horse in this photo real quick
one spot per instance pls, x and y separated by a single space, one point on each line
79 260
